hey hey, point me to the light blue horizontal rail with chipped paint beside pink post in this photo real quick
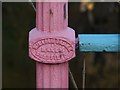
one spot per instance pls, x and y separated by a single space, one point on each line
99 42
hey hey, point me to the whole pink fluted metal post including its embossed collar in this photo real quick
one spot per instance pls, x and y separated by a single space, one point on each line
52 44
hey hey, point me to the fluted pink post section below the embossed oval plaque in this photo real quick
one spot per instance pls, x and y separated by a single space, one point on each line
52 76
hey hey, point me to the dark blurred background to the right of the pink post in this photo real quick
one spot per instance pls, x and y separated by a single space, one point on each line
102 69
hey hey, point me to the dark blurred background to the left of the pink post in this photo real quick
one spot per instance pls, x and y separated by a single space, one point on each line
18 69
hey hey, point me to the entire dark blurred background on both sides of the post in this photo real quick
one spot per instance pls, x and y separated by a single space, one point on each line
102 69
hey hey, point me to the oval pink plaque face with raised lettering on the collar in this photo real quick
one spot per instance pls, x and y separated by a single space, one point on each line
51 50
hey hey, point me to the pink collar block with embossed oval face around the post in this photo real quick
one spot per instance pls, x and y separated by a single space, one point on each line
55 47
